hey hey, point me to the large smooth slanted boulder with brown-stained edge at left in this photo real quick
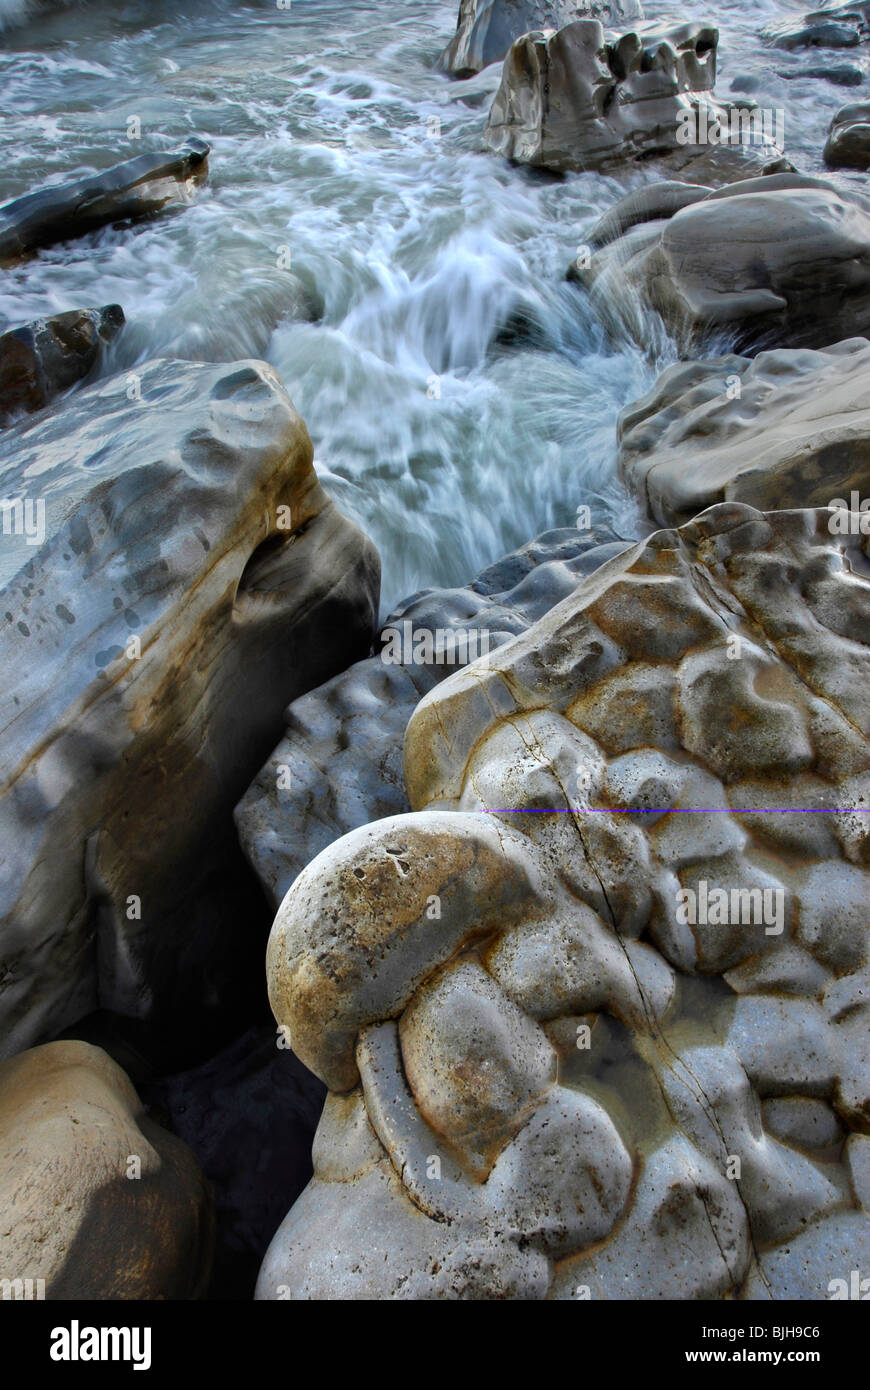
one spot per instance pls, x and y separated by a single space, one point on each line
172 576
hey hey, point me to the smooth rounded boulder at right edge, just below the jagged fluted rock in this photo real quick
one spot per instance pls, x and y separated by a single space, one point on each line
776 262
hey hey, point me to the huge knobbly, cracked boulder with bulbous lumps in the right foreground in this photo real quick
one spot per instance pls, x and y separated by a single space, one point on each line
593 865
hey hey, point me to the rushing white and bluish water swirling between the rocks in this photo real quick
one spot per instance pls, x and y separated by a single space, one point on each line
334 136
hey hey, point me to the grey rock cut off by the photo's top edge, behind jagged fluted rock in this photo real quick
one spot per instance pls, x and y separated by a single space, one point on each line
487 28
